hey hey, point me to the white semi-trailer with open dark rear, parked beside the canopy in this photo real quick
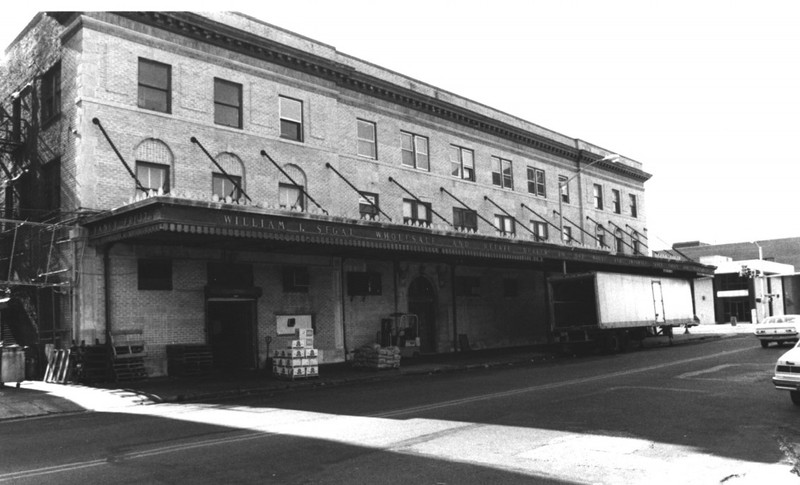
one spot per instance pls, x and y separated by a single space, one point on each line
613 309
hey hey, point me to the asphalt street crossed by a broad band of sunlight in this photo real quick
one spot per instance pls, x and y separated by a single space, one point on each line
701 413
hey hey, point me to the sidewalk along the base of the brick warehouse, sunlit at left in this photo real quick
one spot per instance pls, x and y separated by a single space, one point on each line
36 398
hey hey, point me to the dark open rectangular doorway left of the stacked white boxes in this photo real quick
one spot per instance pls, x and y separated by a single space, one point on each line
231 333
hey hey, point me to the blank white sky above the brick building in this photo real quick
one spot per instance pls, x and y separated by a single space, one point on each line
704 93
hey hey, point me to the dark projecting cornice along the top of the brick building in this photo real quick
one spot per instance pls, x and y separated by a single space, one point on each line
203 29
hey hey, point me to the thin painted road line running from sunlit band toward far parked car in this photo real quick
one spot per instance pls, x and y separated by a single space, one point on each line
543 387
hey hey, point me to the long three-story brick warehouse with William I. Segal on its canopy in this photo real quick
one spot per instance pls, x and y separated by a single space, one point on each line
221 180
